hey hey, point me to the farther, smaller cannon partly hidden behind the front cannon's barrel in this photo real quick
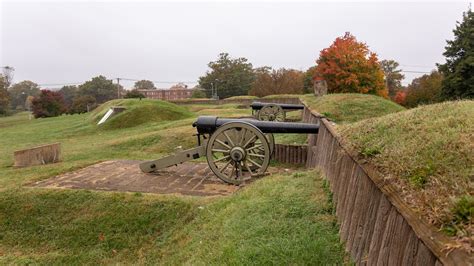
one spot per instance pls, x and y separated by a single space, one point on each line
272 111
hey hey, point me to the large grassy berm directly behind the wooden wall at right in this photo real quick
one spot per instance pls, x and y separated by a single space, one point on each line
429 153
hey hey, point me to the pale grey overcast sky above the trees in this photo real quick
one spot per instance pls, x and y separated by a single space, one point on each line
67 42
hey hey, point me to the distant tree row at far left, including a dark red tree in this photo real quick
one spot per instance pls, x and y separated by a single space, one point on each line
70 99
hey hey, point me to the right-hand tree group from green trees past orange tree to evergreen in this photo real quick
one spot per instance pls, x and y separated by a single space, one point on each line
348 65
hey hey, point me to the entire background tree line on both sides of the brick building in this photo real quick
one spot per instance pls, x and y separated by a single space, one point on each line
347 65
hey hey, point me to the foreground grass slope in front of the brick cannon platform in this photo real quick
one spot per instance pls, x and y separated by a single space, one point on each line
283 219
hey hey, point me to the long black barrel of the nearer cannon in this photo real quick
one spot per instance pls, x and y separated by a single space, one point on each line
209 124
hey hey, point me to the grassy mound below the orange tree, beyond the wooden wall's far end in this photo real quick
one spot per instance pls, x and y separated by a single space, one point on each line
351 107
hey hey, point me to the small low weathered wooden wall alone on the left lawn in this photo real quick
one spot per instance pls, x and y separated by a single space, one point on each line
38 155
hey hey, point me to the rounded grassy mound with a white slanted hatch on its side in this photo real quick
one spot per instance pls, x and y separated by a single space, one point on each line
139 112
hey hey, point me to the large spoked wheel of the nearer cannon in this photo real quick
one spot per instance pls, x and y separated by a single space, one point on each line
246 147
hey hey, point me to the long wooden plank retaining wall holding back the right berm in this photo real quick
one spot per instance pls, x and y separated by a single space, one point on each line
375 224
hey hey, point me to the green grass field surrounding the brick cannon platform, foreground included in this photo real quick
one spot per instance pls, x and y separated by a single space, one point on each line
282 219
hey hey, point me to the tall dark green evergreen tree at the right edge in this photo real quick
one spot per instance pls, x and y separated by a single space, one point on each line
459 67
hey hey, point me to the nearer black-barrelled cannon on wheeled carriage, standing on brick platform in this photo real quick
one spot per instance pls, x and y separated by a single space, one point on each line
236 149
